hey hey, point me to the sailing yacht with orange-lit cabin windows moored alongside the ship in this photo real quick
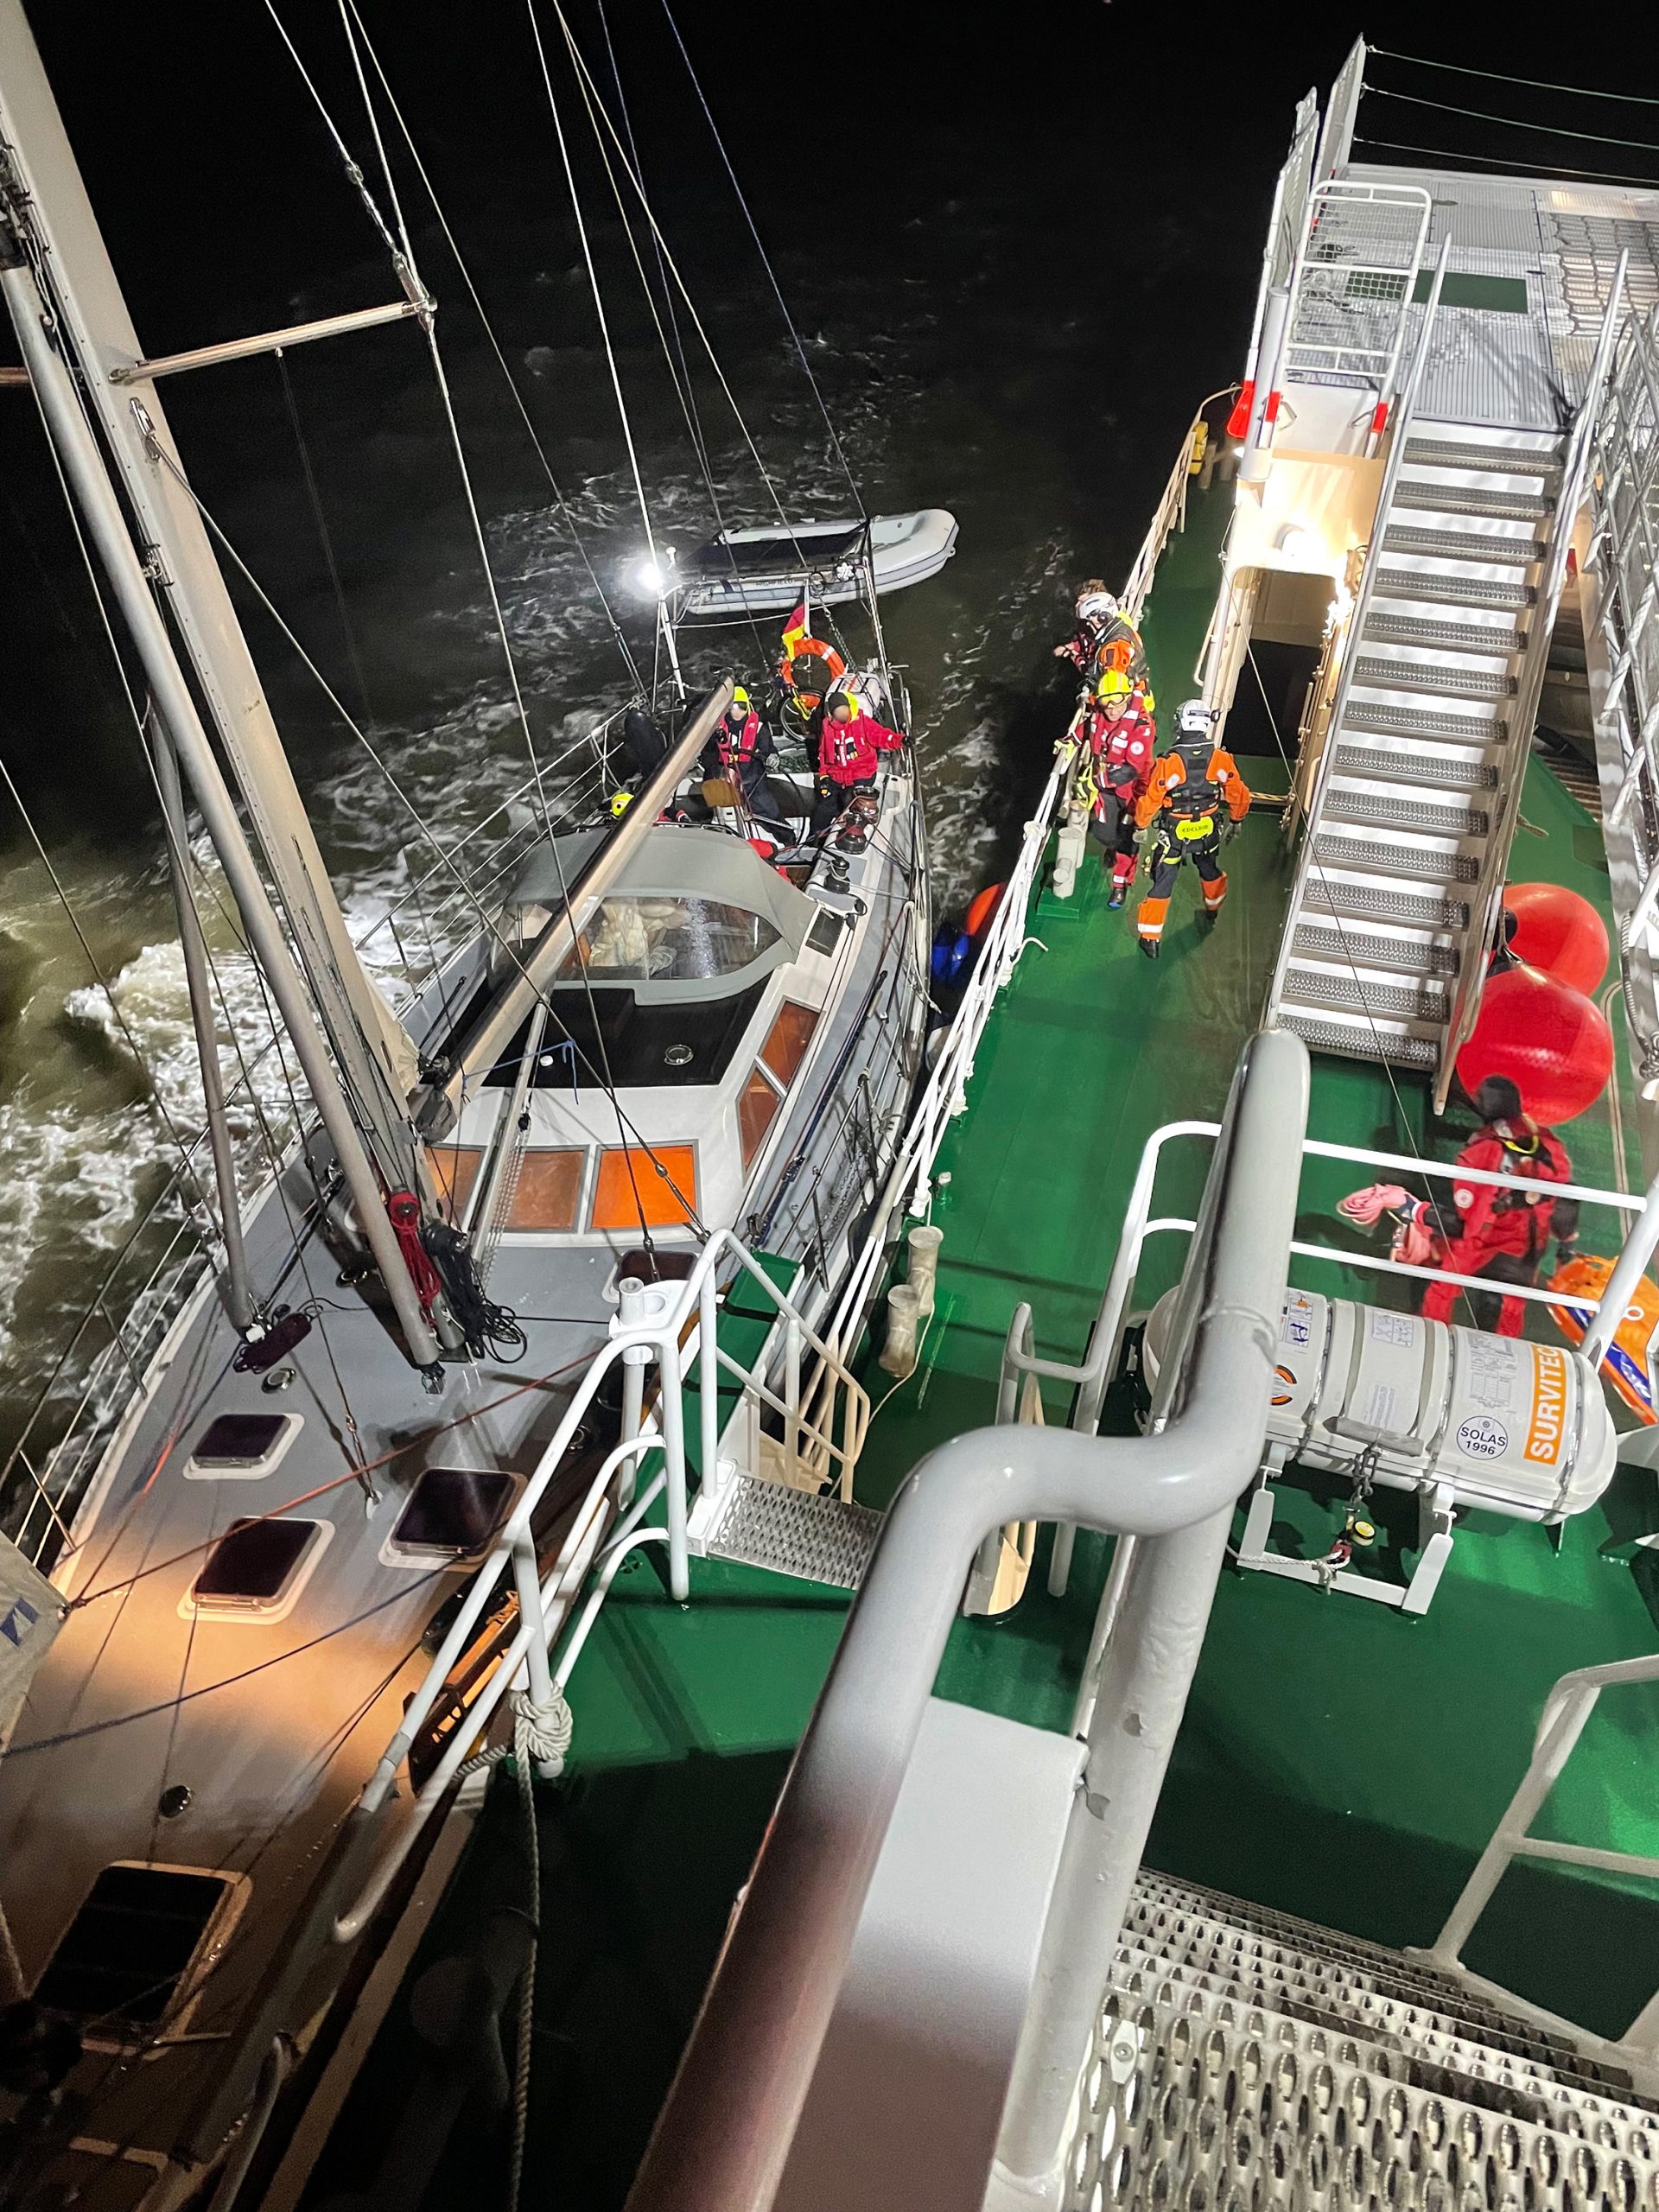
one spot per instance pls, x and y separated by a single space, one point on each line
371 1423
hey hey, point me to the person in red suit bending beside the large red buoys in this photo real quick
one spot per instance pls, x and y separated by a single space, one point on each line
1485 1229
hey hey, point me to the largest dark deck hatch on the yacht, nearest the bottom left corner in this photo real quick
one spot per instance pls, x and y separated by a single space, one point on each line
132 1945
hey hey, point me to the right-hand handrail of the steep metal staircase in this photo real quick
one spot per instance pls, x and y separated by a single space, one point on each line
1488 897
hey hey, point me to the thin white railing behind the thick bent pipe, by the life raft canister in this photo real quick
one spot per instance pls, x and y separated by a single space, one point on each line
1092 1377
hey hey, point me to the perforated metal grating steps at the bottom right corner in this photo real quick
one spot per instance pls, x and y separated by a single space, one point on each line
1251 2058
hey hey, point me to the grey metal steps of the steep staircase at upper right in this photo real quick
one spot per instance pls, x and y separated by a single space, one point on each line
1423 751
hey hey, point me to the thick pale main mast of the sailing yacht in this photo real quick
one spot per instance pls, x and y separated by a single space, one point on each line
96 337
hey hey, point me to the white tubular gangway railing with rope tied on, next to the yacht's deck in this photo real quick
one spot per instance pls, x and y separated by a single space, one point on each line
674 1328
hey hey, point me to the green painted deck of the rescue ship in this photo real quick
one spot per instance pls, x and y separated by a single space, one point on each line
1337 1760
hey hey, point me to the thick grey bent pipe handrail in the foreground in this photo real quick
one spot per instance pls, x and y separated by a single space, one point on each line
786 1954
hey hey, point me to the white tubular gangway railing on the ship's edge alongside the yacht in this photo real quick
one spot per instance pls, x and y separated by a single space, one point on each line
651 1319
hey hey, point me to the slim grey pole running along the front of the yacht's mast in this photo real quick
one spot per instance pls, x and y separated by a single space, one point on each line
107 525
